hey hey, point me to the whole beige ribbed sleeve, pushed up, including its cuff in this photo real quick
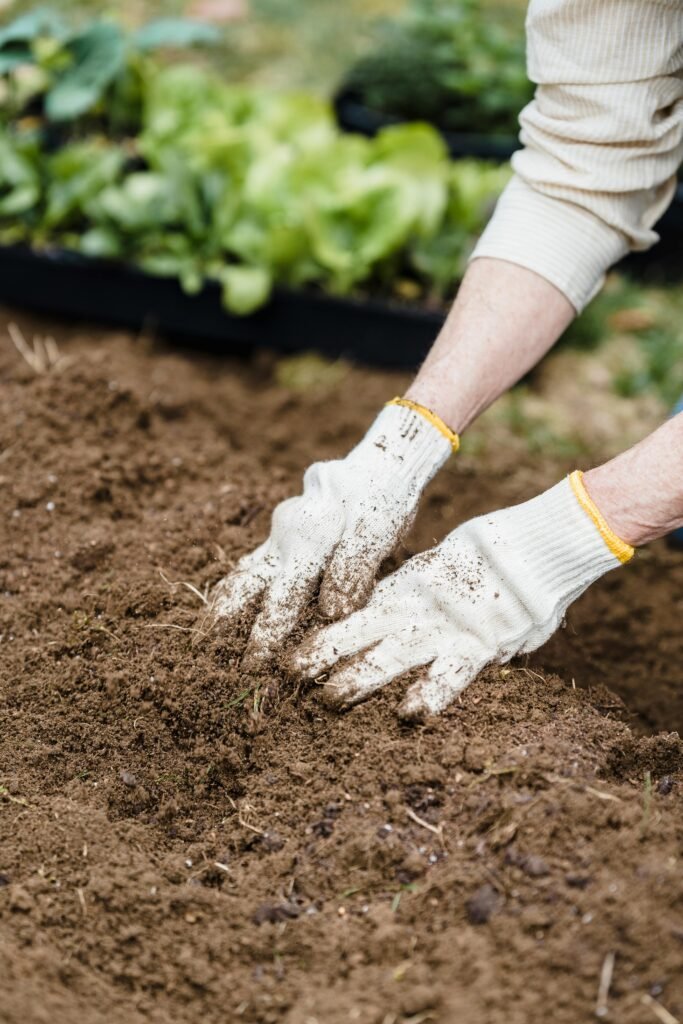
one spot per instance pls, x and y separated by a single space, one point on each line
603 140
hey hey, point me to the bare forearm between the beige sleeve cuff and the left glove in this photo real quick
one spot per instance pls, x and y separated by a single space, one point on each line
504 320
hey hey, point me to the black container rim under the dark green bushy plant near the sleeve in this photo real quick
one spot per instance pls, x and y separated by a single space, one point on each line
354 116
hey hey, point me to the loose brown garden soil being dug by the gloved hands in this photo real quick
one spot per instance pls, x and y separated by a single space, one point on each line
182 843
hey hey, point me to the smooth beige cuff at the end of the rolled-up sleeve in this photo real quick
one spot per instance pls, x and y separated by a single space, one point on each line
560 241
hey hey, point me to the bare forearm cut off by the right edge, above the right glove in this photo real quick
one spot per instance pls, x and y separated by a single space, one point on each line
641 493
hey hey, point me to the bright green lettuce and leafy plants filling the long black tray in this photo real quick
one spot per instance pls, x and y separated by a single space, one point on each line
245 187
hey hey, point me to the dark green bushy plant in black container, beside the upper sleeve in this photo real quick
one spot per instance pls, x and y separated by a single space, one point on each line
447 64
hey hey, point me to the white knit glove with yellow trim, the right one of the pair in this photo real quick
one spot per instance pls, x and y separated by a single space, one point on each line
496 587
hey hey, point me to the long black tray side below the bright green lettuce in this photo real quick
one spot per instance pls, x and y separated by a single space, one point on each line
66 284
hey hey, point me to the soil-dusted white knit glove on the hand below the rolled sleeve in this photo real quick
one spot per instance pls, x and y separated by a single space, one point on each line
352 516
